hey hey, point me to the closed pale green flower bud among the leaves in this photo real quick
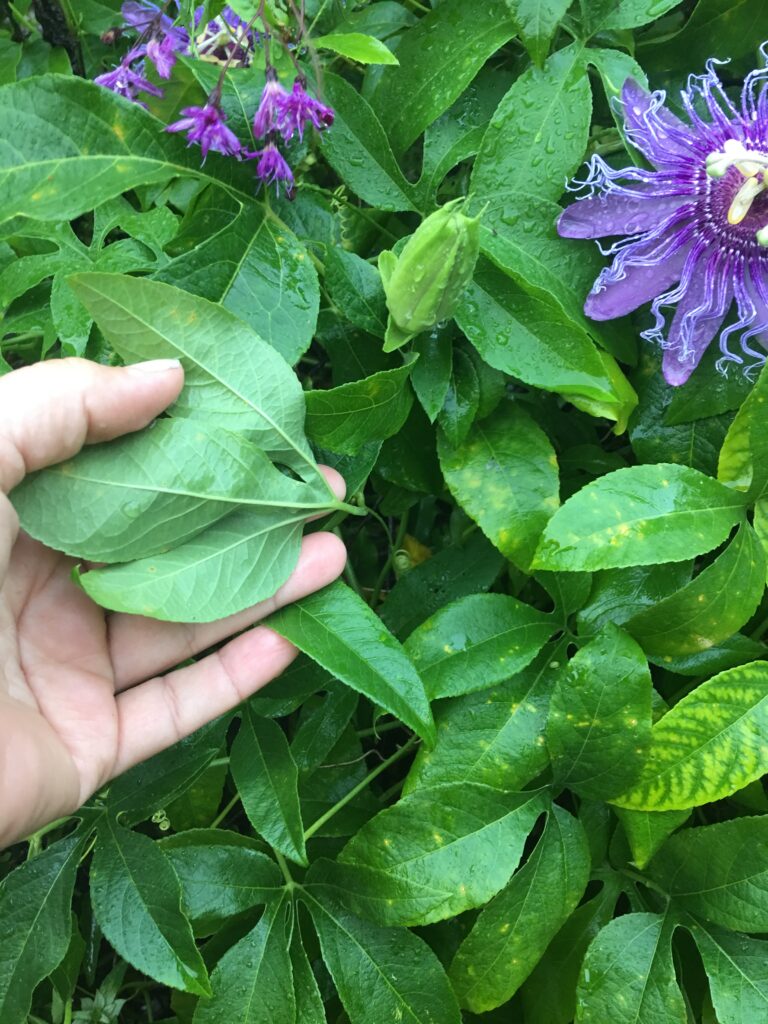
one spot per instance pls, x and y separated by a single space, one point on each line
424 284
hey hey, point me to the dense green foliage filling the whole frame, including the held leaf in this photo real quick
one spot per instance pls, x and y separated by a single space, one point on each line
517 773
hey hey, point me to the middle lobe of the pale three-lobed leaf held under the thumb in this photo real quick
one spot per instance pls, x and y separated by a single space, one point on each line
146 493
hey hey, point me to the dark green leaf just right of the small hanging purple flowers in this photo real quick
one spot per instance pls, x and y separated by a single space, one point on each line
359 151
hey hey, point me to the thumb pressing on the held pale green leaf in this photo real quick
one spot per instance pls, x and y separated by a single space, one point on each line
51 410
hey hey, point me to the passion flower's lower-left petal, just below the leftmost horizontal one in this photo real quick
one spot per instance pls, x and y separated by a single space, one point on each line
642 283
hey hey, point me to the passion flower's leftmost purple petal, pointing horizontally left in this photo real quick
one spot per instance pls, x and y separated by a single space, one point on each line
614 215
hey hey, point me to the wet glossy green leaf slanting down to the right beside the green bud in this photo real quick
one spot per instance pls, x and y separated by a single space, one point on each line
531 338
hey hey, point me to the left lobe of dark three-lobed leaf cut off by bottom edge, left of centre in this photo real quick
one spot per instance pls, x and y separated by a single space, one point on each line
253 982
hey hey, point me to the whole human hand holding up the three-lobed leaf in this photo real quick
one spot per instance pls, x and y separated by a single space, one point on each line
81 699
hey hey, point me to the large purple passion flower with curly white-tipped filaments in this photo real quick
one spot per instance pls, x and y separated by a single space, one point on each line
695 229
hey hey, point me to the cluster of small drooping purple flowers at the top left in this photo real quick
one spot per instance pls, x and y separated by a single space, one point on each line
280 116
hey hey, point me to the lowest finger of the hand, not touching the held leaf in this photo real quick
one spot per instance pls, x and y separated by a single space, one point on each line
166 709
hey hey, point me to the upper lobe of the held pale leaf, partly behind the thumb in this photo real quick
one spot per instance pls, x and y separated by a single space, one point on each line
245 385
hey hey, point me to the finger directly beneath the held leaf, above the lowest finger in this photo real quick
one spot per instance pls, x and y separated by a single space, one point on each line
141 648
